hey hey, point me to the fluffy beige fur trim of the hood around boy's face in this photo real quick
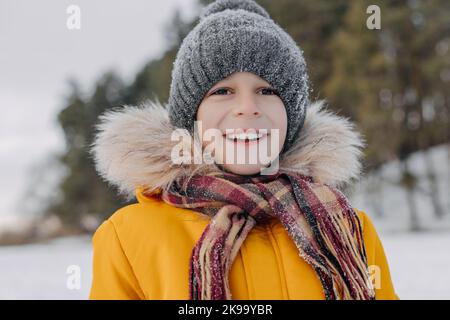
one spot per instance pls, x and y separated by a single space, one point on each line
133 146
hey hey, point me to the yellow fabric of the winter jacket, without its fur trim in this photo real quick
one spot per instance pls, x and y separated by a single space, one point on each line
142 252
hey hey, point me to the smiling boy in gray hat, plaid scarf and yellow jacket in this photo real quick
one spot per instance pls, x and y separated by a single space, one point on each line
227 229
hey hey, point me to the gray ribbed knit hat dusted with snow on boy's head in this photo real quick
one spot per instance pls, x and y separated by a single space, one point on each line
231 36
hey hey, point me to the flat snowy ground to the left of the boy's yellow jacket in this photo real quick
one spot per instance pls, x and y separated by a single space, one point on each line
40 271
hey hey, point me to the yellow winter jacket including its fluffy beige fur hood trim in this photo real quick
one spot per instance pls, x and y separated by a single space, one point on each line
142 251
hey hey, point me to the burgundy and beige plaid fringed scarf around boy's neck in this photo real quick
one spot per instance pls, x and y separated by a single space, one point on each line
319 219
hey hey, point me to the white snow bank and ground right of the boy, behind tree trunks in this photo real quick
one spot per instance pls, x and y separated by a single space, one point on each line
419 261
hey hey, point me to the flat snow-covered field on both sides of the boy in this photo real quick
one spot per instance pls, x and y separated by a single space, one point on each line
419 264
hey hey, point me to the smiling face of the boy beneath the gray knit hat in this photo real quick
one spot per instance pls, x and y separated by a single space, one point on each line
245 103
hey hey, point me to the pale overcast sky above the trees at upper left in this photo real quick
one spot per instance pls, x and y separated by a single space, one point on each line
38 53
